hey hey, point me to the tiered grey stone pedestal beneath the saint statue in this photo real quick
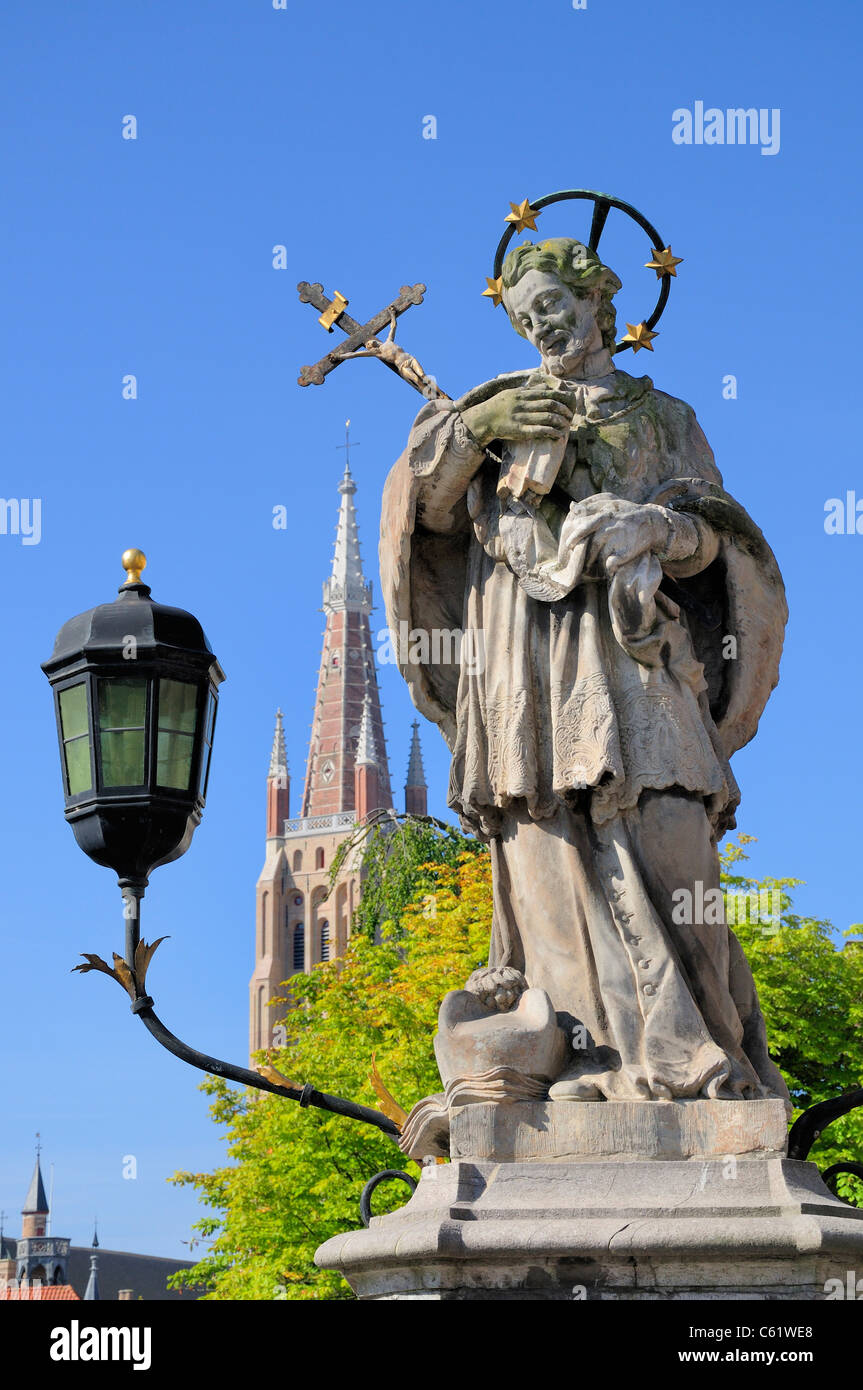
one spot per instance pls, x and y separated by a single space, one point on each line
702 1206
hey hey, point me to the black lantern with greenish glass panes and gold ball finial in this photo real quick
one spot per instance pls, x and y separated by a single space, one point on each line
135 692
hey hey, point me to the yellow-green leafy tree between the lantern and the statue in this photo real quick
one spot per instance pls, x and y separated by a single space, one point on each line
297 1175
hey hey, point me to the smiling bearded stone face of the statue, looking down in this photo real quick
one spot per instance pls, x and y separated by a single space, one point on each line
559 322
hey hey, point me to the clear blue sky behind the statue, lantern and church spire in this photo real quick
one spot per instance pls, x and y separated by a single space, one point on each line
304 127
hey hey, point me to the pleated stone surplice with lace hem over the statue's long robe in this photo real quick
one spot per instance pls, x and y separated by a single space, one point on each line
584 693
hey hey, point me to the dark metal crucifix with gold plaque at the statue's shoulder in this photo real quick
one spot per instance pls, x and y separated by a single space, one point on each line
363 338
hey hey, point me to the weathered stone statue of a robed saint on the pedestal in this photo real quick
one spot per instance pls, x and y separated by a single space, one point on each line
626 622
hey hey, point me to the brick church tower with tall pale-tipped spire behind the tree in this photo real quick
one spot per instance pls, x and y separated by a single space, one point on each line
347 779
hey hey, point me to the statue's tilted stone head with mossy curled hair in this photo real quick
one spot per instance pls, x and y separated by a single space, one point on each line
559 297
